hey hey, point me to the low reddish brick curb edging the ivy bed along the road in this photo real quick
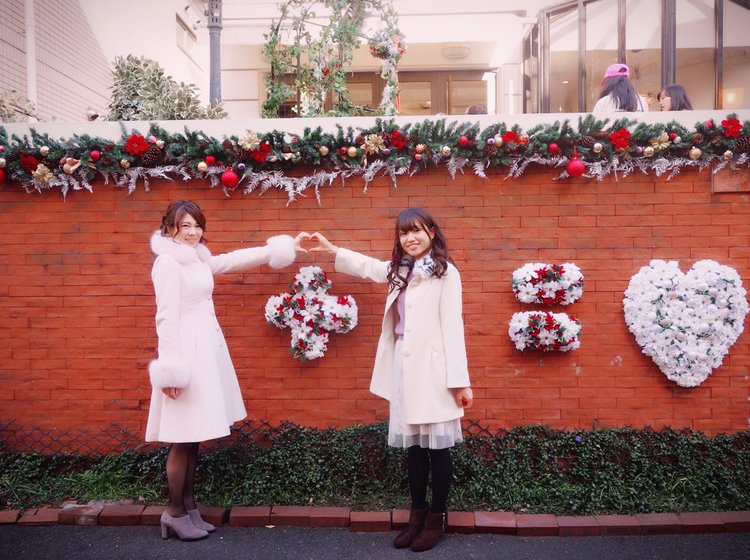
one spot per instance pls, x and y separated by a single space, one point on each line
465 522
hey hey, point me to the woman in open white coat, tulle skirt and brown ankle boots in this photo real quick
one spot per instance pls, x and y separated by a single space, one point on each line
420 364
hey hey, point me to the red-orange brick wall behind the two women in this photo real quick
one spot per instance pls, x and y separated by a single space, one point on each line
77 310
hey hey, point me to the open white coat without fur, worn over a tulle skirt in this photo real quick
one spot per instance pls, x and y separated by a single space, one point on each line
434 350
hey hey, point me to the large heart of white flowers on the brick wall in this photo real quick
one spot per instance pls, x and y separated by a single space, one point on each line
686 322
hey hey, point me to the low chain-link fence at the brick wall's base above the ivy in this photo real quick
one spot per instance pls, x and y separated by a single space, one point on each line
115 439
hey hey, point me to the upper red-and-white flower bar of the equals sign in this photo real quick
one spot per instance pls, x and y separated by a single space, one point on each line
548 283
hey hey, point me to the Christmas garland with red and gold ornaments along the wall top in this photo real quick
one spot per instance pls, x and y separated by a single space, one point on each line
261 161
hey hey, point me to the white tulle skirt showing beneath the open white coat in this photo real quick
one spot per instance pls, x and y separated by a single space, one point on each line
439 435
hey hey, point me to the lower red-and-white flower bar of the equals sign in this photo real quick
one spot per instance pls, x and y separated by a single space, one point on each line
541 330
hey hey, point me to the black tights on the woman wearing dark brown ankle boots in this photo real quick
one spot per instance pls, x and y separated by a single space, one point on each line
420 463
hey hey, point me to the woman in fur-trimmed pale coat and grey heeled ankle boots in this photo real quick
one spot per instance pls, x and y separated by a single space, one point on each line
195 393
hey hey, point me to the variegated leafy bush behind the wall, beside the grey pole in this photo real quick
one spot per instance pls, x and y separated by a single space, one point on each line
143 91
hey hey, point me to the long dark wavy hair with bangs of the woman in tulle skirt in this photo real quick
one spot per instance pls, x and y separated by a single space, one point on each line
408 220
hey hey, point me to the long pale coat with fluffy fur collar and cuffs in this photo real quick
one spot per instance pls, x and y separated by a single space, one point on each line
192 353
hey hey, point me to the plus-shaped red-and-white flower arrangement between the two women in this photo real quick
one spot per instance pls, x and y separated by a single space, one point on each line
311 313
